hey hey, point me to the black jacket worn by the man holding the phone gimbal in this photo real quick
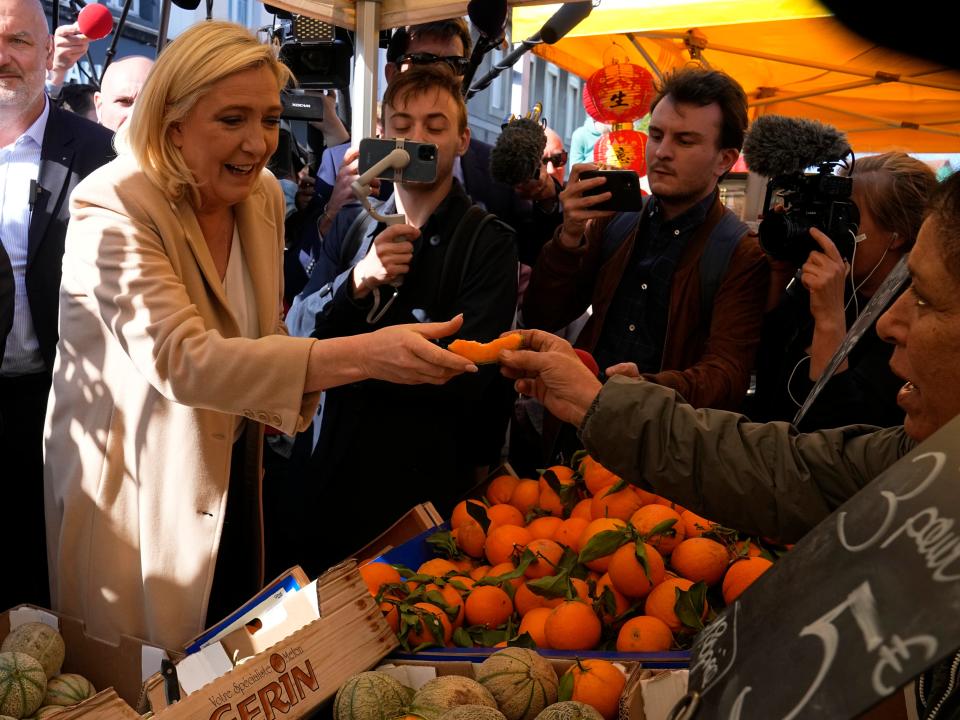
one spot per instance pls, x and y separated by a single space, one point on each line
386 447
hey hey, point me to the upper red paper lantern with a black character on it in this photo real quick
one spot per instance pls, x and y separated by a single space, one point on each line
618 93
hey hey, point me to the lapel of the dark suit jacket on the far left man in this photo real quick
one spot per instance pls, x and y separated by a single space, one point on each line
56 159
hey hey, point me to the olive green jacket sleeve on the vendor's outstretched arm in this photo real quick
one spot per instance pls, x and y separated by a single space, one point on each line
762 479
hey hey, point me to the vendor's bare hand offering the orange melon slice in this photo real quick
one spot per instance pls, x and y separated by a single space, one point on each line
553 373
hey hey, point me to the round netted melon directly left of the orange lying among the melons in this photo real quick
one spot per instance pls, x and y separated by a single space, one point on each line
522 682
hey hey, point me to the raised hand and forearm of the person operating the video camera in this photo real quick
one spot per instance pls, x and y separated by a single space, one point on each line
824 274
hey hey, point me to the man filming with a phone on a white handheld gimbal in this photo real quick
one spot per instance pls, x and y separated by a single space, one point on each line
379 441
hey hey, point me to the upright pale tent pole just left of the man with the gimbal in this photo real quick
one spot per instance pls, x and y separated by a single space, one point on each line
363 90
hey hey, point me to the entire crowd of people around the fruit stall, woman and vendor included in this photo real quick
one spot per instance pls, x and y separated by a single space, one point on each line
170 286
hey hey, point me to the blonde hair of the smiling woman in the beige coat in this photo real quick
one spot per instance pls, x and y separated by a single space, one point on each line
185 71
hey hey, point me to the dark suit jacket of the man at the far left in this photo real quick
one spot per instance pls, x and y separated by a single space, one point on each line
73 147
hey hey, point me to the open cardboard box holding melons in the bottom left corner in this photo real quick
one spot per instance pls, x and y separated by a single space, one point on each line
116 670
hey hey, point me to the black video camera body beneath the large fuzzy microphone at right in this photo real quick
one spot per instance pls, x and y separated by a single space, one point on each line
806 200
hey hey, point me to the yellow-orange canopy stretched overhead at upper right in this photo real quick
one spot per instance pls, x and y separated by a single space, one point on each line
791 57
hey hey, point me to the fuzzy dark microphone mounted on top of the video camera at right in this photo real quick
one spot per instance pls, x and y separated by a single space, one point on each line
778 145
